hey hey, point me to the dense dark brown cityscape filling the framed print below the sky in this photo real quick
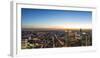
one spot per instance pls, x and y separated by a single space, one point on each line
56 38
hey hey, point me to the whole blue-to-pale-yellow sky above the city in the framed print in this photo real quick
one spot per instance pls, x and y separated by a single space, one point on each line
46 18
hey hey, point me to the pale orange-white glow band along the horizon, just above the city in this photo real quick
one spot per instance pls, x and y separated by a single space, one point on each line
65 26
